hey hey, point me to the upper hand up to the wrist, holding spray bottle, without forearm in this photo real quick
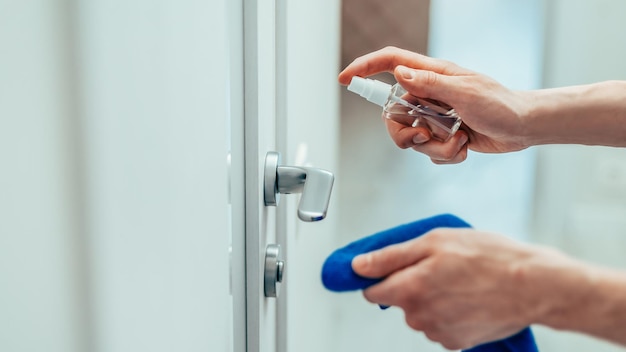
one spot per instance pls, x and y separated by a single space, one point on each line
492 114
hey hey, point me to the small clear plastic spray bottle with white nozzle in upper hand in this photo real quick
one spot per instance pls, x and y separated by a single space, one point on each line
400 106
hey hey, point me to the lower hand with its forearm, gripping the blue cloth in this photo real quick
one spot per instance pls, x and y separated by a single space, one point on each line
463 287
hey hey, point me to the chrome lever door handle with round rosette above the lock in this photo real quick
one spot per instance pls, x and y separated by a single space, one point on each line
315 185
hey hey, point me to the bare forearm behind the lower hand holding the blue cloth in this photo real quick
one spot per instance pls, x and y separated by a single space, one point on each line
576 296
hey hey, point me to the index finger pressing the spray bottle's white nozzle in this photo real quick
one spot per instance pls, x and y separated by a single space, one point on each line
386 59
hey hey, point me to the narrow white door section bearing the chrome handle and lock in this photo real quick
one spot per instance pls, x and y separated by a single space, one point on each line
290 62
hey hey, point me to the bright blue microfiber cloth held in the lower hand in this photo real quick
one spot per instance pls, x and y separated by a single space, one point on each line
337 274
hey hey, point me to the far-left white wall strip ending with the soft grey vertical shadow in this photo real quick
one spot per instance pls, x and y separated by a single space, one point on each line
42 292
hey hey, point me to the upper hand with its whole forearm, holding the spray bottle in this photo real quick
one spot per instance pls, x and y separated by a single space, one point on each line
497 119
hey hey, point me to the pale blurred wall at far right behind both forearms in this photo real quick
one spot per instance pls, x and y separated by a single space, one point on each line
581 191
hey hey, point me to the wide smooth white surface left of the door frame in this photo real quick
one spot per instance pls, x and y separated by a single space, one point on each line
113 184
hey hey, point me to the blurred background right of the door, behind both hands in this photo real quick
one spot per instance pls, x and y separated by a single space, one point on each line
566 196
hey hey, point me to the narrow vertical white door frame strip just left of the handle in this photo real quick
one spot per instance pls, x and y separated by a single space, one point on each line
258 136
